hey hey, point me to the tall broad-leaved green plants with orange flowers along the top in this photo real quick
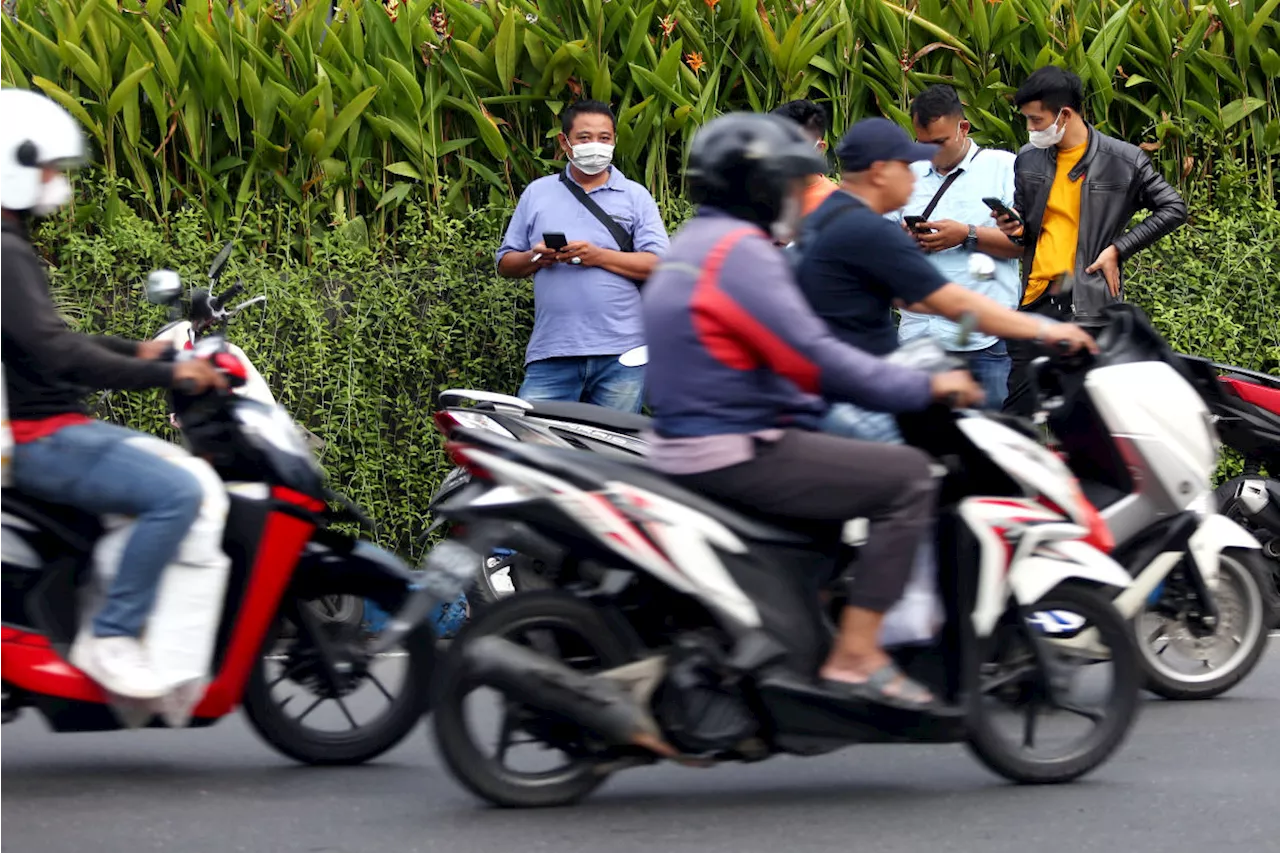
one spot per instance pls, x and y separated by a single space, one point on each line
452 103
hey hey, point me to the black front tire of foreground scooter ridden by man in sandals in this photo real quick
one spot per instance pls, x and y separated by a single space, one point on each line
988 745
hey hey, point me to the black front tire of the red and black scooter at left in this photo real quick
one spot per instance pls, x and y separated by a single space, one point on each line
284 733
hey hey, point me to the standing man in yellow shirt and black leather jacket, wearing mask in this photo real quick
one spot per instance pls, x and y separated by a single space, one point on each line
1075 193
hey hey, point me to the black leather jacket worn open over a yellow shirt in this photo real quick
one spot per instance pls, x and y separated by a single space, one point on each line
1119 181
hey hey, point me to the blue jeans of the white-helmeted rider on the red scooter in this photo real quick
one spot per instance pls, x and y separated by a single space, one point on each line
104 469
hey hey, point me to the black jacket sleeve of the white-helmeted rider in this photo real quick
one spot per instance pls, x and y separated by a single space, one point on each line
54 352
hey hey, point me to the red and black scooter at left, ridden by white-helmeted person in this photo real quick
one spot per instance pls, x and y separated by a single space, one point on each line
287 562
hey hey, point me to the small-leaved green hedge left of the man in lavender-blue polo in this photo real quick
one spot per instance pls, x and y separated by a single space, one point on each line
356 346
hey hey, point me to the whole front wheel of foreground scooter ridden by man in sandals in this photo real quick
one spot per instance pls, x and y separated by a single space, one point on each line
1080 644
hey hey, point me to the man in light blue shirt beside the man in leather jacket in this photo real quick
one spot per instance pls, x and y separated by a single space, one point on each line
959 226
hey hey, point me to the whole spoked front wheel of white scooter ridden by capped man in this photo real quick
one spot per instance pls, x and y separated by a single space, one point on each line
1185 662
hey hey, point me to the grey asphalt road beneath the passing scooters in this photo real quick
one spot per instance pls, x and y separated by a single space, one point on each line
1192 777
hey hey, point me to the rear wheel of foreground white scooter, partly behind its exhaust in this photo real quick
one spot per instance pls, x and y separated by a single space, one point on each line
555 624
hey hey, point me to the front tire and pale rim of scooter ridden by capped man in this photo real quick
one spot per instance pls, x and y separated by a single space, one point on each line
1247 572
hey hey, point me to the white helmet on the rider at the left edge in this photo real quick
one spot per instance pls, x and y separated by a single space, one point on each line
35 134
